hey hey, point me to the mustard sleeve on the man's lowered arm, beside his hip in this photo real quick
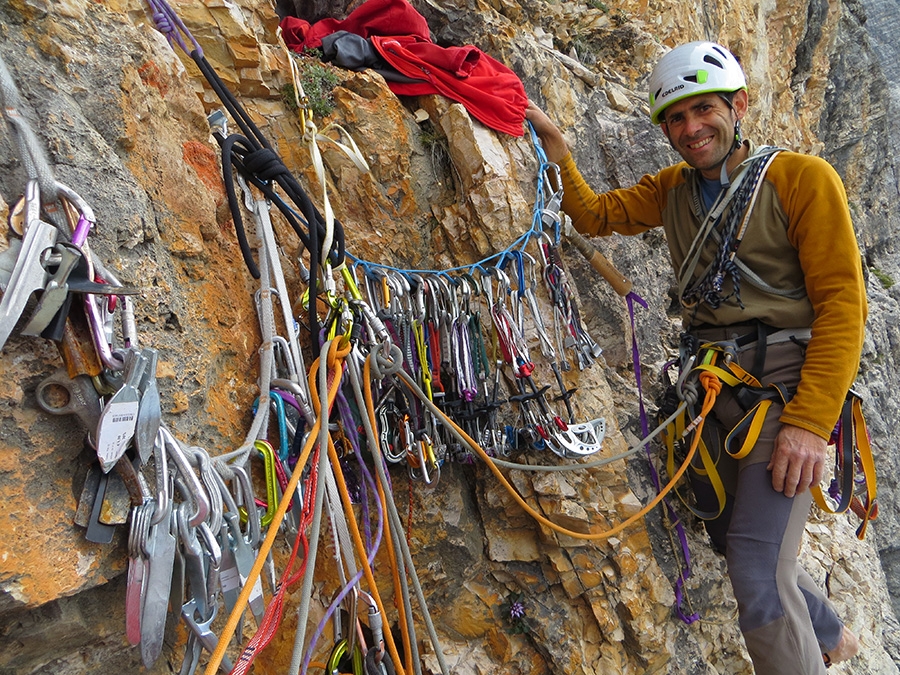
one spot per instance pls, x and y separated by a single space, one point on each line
820 228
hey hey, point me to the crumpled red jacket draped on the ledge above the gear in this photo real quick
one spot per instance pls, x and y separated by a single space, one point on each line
490 91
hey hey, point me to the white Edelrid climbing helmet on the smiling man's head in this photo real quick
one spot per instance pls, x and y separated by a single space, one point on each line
694 68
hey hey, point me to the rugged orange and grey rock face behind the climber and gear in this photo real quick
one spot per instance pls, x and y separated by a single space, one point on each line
122 119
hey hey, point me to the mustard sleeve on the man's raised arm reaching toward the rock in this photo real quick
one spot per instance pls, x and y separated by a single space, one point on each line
626 211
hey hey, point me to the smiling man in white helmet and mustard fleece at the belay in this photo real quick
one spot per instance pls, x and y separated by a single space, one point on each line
767 261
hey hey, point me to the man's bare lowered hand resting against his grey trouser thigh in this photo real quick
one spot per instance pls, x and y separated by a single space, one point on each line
798 460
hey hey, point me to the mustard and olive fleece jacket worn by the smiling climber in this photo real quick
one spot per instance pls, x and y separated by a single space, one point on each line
800 236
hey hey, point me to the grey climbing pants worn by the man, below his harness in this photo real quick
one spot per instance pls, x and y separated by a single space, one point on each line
786 620
